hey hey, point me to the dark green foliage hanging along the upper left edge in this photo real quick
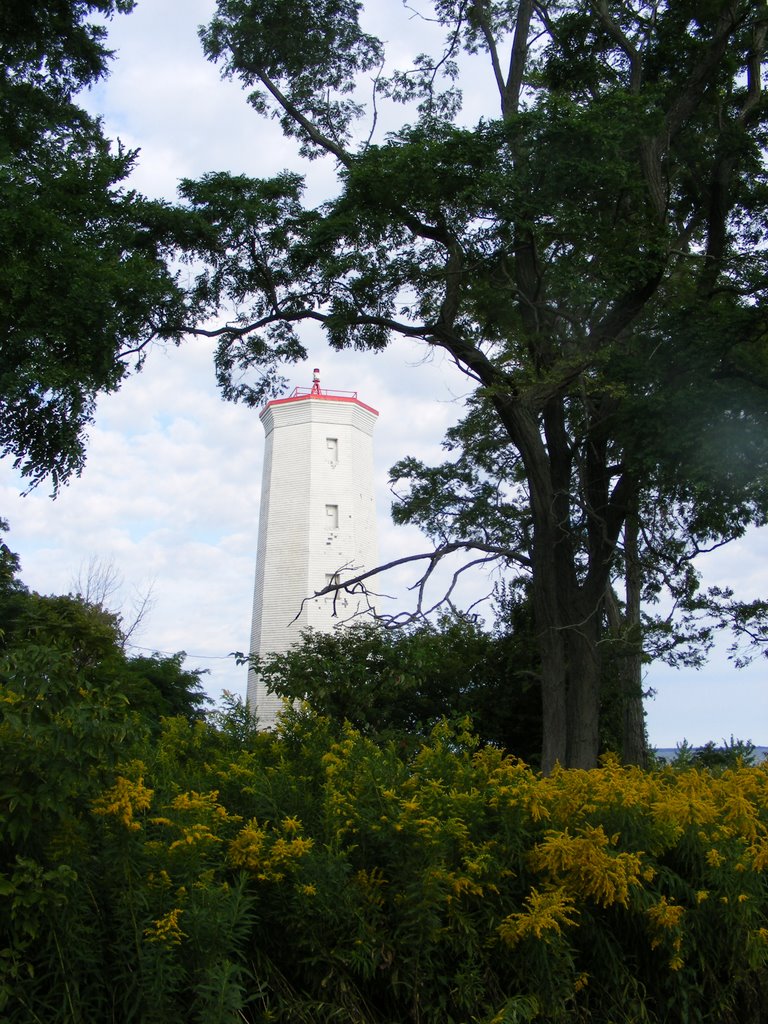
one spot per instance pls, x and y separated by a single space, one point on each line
87 284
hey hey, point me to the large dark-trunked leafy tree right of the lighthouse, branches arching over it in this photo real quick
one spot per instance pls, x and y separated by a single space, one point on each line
591 253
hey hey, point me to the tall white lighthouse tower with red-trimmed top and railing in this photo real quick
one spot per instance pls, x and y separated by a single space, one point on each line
317 523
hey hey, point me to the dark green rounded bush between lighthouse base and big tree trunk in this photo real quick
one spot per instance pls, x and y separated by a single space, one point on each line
399 686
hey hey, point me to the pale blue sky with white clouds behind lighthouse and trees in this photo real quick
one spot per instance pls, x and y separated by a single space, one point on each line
170 492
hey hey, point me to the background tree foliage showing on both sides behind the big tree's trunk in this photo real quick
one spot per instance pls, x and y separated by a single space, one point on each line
481 492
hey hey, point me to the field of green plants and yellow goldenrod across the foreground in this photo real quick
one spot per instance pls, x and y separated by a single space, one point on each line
206 873
